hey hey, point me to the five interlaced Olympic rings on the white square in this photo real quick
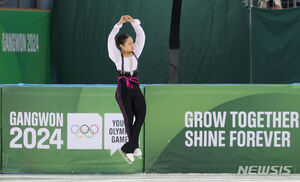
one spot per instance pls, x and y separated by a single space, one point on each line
84 130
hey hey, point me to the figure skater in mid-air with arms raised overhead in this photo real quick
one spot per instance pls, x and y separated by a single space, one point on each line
128 95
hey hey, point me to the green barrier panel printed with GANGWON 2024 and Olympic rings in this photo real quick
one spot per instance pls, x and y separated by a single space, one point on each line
64 130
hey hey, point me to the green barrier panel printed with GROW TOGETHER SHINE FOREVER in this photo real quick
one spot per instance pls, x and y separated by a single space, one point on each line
223 129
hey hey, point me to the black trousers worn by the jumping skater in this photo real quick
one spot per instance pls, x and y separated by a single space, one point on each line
132 103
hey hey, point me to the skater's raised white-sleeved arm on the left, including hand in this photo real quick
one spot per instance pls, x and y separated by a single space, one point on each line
113 52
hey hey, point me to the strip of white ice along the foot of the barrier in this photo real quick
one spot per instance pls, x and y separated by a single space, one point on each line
149 177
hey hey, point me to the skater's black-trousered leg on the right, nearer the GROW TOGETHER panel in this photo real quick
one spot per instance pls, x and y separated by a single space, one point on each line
139 110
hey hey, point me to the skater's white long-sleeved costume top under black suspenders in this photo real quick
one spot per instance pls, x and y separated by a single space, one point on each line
130 63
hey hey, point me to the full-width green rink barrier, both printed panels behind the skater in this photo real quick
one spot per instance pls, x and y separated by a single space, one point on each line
172 138
